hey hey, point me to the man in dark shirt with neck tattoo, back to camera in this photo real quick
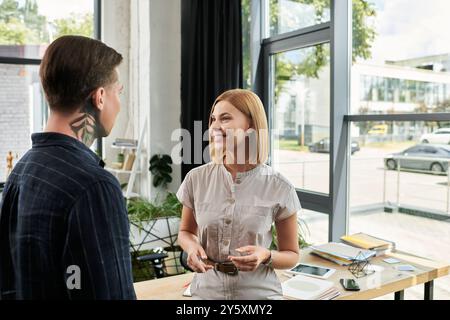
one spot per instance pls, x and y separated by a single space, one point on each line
64 231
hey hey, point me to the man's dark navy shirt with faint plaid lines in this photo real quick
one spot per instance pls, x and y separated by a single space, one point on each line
61 213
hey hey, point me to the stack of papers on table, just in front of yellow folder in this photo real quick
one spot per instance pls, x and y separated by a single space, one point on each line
341 253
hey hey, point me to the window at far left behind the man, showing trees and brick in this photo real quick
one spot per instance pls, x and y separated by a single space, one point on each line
26 29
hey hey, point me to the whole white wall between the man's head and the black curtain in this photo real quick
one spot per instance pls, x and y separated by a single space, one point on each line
148 34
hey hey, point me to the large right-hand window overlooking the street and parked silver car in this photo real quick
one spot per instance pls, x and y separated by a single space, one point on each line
399 183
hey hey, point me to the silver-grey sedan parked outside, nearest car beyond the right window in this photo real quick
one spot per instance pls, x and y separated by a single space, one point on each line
431 158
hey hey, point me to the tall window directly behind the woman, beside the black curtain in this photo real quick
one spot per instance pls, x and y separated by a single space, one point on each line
289 66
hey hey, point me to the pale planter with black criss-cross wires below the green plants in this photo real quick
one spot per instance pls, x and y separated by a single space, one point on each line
155 233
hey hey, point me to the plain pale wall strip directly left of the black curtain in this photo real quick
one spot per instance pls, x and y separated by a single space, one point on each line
165 77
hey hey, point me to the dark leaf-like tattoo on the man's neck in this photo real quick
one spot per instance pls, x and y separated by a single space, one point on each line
86 125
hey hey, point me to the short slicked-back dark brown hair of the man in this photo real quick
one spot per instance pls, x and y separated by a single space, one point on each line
74 66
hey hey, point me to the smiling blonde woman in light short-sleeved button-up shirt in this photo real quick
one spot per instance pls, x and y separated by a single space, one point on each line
230 204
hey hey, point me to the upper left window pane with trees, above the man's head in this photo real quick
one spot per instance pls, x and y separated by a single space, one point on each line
27 27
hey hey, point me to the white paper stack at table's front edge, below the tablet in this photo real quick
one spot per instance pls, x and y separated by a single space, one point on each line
308 288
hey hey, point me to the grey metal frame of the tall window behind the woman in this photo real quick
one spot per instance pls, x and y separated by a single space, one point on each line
338 33
